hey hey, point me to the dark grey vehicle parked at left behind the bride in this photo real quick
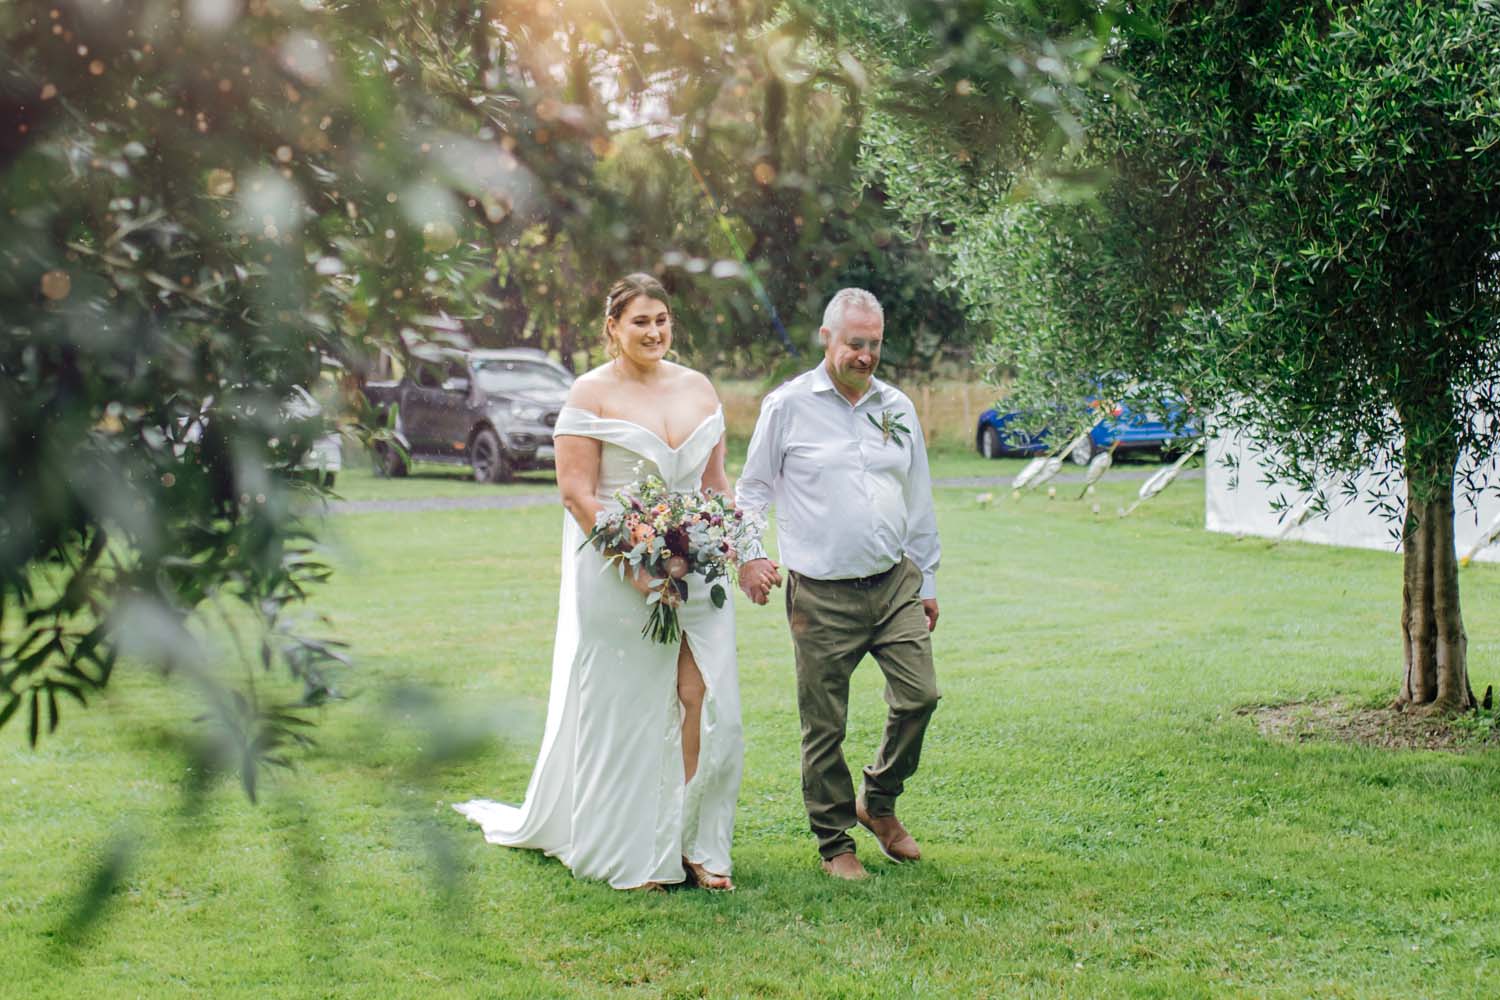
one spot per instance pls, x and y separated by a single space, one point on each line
493 412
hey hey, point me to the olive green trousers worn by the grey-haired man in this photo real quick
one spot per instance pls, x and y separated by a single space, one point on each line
835 624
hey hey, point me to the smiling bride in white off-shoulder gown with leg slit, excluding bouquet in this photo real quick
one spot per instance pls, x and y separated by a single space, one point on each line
643 750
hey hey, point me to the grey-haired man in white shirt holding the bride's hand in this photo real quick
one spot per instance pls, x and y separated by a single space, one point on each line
842 457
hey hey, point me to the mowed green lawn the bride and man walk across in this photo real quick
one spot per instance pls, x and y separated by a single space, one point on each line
1097 819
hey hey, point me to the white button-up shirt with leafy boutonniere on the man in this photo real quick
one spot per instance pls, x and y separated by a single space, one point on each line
850 503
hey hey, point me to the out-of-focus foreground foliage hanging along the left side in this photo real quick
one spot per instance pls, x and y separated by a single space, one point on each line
206 208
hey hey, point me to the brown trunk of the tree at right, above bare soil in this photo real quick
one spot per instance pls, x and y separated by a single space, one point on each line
1435 645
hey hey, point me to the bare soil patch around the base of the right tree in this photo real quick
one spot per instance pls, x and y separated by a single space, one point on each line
1384 728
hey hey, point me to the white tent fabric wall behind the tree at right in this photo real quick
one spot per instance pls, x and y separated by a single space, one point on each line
1244 509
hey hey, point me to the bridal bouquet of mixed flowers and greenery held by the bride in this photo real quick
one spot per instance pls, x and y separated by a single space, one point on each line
670 536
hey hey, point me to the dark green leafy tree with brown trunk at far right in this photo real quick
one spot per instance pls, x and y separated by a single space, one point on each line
1367 298
